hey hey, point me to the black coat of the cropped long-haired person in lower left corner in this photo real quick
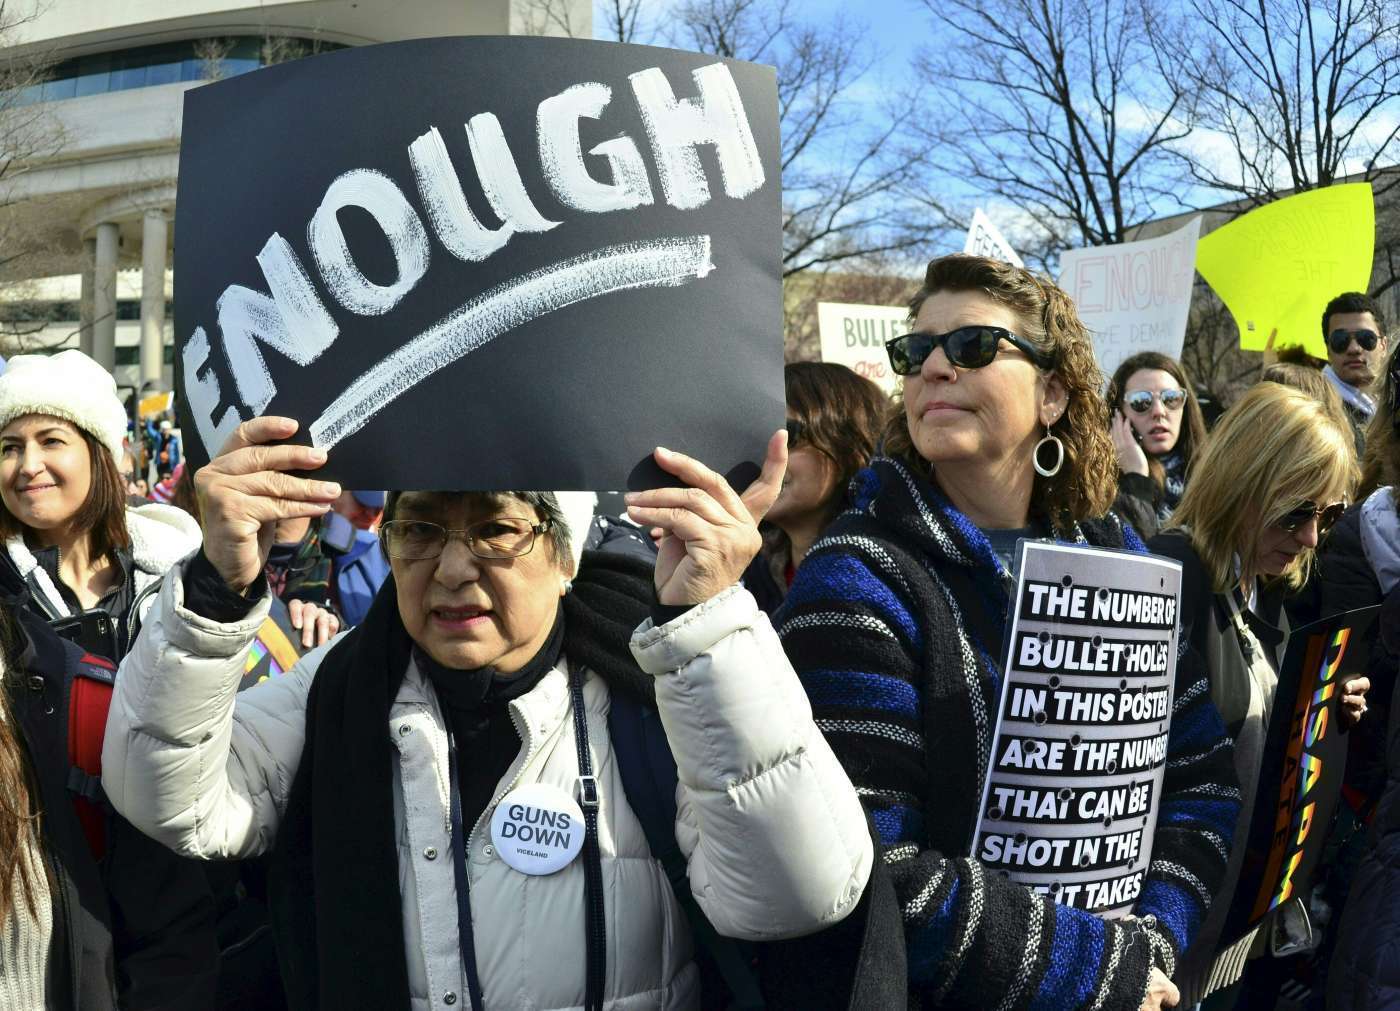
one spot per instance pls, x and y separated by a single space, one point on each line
138 929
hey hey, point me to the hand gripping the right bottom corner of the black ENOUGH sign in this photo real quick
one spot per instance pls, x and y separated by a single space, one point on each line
710 534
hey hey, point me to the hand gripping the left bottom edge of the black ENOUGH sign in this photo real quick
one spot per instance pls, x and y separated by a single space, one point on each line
246 491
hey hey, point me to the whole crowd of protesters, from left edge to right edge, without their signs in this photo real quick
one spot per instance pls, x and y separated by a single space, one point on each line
773 706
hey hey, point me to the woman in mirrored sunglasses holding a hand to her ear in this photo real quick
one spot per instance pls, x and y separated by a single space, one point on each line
1157 425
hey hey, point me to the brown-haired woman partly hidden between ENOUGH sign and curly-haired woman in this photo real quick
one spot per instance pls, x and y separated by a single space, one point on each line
835 421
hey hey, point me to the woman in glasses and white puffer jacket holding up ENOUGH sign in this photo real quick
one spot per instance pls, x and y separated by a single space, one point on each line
451 807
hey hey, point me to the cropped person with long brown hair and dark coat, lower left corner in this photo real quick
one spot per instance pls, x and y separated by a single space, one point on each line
90 918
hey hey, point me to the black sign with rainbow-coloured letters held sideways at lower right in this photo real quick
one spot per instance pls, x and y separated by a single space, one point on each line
1300 779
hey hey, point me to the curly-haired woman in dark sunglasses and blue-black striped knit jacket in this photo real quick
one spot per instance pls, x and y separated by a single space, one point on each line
895 624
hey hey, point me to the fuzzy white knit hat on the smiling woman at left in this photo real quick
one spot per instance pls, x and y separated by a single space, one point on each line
69 386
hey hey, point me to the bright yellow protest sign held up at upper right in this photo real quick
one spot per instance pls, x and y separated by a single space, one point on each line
1277 267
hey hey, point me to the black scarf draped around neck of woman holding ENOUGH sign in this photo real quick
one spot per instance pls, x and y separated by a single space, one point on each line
335 867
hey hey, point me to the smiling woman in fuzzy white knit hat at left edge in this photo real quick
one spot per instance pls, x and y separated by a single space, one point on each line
64 510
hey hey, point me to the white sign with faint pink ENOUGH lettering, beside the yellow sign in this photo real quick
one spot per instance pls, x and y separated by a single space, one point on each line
1135 296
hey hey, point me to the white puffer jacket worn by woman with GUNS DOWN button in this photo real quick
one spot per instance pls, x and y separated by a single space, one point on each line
769 823
